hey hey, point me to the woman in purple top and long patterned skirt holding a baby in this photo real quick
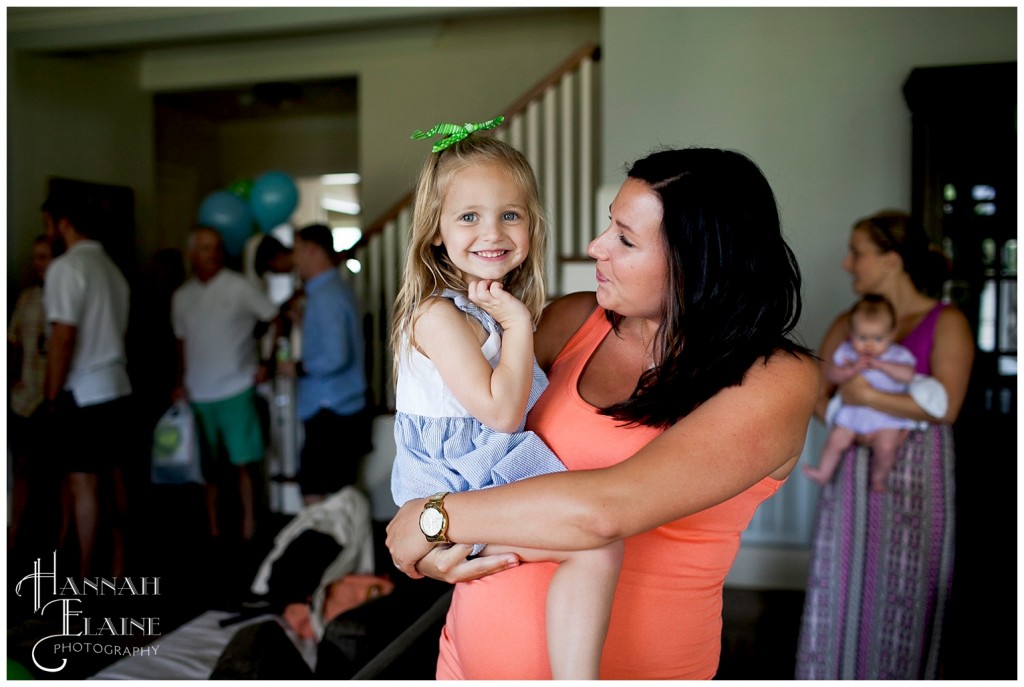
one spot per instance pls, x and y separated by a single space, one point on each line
882 564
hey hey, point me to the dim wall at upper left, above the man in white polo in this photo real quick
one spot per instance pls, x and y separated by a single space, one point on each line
79 119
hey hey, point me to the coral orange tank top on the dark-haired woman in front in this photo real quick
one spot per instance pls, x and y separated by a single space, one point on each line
667 615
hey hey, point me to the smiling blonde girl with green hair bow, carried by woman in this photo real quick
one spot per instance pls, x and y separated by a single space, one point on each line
463 341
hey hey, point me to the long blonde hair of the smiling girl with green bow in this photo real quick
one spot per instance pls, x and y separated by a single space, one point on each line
429 269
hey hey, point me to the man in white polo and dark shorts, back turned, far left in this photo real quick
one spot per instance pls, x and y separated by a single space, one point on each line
88 390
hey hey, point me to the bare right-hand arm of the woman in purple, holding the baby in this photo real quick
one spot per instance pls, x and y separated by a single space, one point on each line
953 358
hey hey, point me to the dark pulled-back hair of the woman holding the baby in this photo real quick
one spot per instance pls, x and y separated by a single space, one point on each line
897 231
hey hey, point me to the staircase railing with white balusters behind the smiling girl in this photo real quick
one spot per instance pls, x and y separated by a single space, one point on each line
553 125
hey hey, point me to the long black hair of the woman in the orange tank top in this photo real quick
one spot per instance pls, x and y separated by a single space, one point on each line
734 291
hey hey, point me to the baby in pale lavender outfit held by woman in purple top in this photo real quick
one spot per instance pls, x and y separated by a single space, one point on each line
888 367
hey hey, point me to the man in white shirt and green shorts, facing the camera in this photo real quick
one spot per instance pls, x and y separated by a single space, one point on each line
219 317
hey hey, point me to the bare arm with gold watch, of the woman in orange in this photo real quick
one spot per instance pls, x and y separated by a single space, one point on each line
734 441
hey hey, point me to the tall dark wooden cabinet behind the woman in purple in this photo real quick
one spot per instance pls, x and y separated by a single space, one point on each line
965 193
